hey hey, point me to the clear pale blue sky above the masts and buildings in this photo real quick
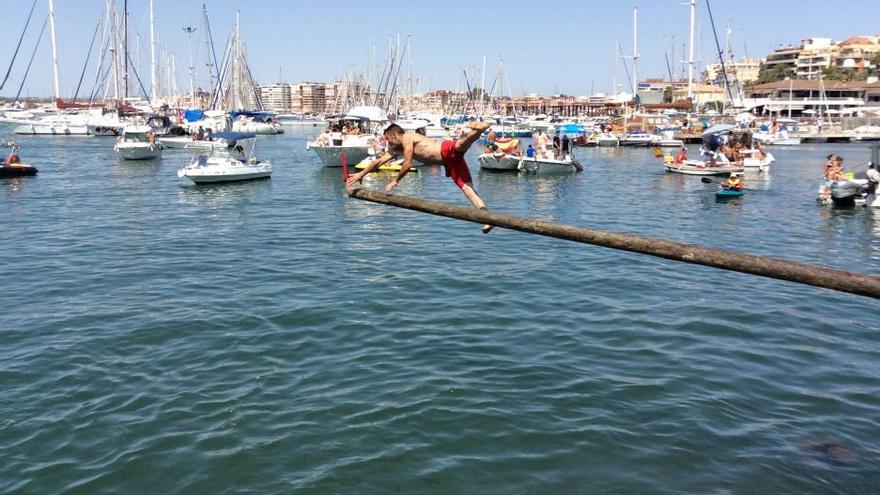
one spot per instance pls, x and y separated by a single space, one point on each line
562 47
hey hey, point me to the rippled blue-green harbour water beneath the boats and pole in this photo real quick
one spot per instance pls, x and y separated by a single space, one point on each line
277 337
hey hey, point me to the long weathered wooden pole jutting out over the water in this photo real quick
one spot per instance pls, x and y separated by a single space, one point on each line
802 273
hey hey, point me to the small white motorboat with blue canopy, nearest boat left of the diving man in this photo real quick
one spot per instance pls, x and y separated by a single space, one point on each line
230 163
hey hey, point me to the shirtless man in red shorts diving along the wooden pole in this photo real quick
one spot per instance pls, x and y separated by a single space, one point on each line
449 153
